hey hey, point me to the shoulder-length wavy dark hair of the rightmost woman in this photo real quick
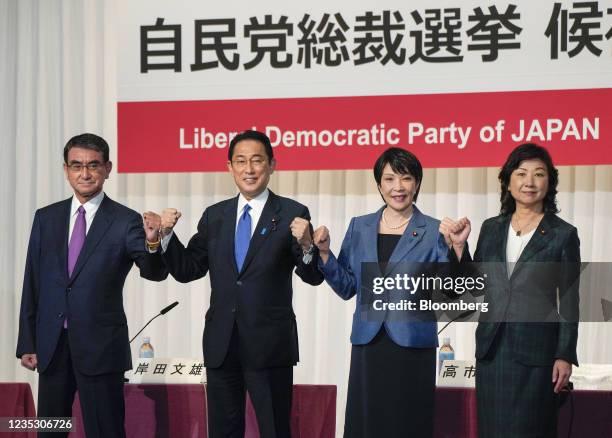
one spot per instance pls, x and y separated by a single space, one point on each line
528 151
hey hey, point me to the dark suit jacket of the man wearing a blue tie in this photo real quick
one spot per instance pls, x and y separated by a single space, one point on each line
259 298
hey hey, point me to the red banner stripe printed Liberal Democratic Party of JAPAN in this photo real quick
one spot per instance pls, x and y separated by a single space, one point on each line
443 130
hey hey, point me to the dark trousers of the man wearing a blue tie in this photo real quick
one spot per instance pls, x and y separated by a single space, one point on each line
270 390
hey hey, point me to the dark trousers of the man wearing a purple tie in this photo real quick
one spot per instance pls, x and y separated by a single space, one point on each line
101 396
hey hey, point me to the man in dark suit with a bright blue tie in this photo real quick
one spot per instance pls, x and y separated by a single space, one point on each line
250 244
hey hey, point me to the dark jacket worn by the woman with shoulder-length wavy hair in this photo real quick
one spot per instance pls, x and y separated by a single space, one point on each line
549 265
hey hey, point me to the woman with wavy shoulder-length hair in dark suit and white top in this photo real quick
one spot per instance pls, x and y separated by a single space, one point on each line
524 352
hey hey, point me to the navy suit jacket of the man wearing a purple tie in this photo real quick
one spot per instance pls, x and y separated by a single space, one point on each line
92 299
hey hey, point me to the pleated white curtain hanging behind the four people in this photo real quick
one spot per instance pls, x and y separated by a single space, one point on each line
58 78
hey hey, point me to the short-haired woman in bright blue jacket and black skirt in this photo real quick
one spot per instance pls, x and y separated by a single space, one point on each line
393 363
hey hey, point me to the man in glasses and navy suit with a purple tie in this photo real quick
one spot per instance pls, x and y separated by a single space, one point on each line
72 325
